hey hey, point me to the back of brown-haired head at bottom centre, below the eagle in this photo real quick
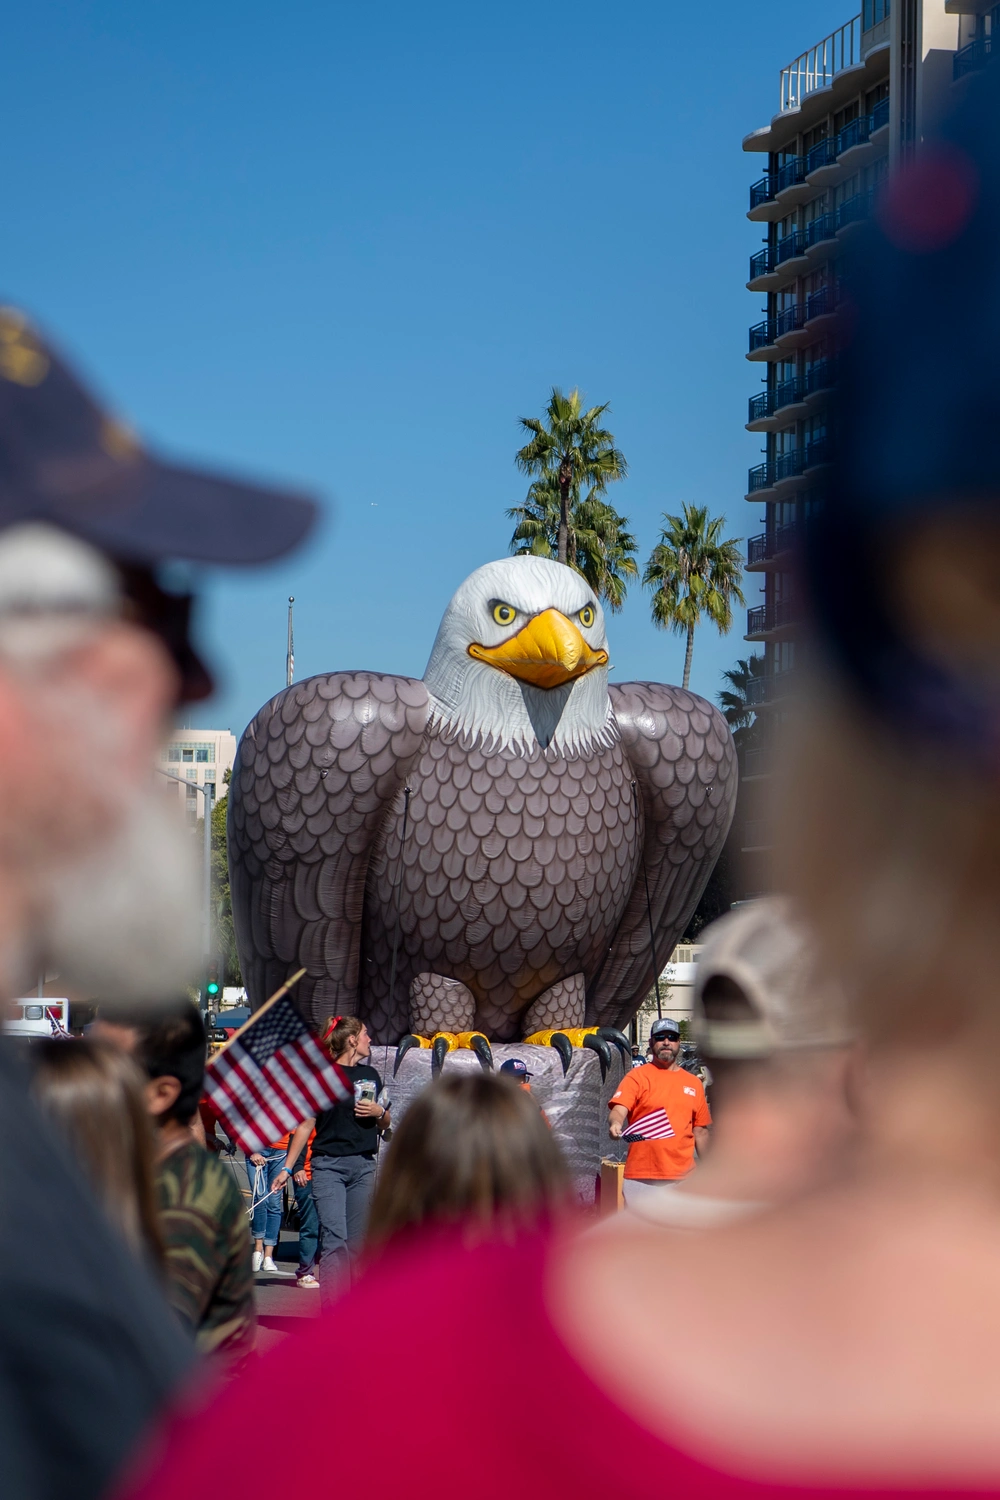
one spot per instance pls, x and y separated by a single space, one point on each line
473 1148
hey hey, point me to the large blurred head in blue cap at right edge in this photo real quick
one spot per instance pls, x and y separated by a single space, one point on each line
894 835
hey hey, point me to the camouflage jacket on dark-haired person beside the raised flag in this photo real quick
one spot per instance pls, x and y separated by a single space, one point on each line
205 1228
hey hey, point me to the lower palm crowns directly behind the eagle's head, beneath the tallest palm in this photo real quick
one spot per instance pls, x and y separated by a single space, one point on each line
599 544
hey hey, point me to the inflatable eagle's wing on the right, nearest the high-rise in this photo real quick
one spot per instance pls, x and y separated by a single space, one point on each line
684 764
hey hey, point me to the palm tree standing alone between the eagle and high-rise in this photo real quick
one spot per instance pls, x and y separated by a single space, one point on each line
693 572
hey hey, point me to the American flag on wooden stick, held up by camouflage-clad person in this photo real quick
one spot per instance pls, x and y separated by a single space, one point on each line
272 1076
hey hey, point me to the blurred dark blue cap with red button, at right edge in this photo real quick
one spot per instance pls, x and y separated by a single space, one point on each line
917 416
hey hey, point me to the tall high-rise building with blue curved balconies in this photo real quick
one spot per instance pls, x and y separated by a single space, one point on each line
849 109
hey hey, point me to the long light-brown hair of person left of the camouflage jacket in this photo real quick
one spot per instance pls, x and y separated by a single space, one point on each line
95 1097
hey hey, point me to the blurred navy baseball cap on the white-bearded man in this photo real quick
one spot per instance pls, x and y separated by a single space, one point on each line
67 461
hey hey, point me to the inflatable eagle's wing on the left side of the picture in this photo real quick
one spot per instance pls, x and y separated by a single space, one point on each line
314 778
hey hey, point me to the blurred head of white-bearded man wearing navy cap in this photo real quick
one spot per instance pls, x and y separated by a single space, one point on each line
95 656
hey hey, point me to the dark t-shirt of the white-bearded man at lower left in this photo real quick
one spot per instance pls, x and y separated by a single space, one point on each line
89 1351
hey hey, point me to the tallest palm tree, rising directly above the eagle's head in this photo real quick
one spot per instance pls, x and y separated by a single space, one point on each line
572 451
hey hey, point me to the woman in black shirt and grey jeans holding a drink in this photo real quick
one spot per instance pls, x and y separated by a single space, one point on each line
344 1154
